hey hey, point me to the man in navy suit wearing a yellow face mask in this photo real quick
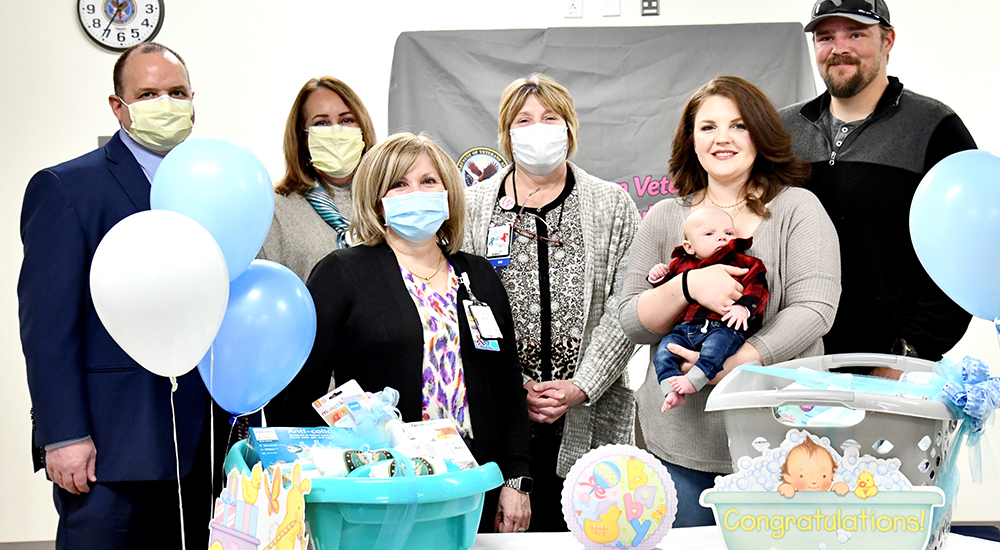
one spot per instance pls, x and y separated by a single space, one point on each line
102 424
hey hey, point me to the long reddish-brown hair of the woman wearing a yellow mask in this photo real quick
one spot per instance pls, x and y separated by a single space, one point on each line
299 172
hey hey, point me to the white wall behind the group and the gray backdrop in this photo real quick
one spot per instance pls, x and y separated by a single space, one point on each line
248 58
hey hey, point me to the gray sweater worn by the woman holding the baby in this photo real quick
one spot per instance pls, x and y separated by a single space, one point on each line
799 248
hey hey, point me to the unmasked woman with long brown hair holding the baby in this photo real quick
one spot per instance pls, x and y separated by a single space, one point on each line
730 152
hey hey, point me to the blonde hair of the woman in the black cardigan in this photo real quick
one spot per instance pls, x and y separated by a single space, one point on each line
383 166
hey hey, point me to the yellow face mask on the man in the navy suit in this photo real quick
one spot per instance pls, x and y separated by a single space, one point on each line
160 124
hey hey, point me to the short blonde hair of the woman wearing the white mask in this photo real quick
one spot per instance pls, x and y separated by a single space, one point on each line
550 94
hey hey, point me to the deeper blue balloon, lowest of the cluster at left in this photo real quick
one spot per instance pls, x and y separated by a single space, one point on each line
265 338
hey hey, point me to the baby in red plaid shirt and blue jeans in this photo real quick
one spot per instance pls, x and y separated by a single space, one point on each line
709 239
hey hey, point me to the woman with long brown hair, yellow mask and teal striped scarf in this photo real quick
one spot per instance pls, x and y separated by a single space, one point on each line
327 132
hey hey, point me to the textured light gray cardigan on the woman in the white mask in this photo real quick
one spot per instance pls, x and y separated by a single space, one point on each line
609 218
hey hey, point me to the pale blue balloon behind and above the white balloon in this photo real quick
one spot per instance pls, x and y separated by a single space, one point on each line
223 187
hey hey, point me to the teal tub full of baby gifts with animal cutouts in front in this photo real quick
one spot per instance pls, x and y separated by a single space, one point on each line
366 481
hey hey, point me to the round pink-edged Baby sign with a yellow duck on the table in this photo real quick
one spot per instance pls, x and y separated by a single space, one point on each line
619 496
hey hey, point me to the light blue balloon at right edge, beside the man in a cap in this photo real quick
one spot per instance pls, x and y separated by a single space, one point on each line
955 229
